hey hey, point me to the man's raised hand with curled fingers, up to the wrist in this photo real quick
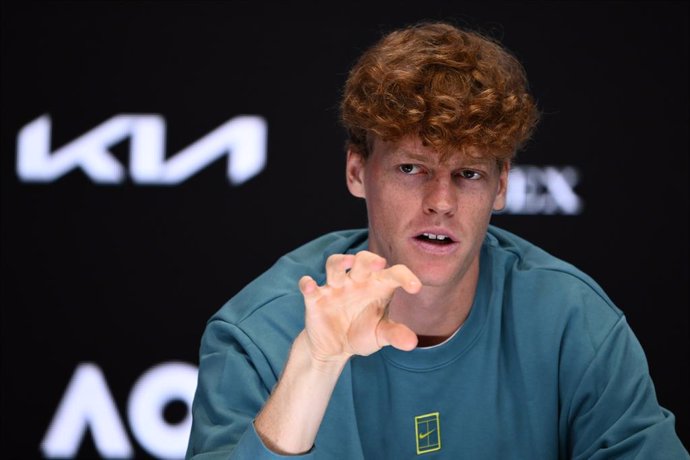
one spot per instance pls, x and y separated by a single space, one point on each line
348 314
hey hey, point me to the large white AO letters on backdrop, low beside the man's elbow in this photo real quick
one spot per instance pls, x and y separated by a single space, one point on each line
88 403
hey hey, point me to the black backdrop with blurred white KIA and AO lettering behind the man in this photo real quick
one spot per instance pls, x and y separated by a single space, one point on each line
156 156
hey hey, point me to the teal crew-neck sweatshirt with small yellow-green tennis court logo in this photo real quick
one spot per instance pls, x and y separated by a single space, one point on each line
545 367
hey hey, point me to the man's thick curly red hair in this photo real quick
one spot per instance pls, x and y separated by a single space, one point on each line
453 88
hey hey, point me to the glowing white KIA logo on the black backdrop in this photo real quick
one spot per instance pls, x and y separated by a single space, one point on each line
242 138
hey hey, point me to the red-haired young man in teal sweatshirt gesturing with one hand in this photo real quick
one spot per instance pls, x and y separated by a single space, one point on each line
430 332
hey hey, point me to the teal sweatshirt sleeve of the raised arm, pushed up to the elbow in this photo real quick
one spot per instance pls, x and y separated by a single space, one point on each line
235 380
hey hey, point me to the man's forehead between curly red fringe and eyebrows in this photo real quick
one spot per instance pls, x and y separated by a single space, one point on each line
411 148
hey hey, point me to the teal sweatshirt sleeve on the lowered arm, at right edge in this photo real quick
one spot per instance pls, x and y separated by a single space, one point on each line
613 411
